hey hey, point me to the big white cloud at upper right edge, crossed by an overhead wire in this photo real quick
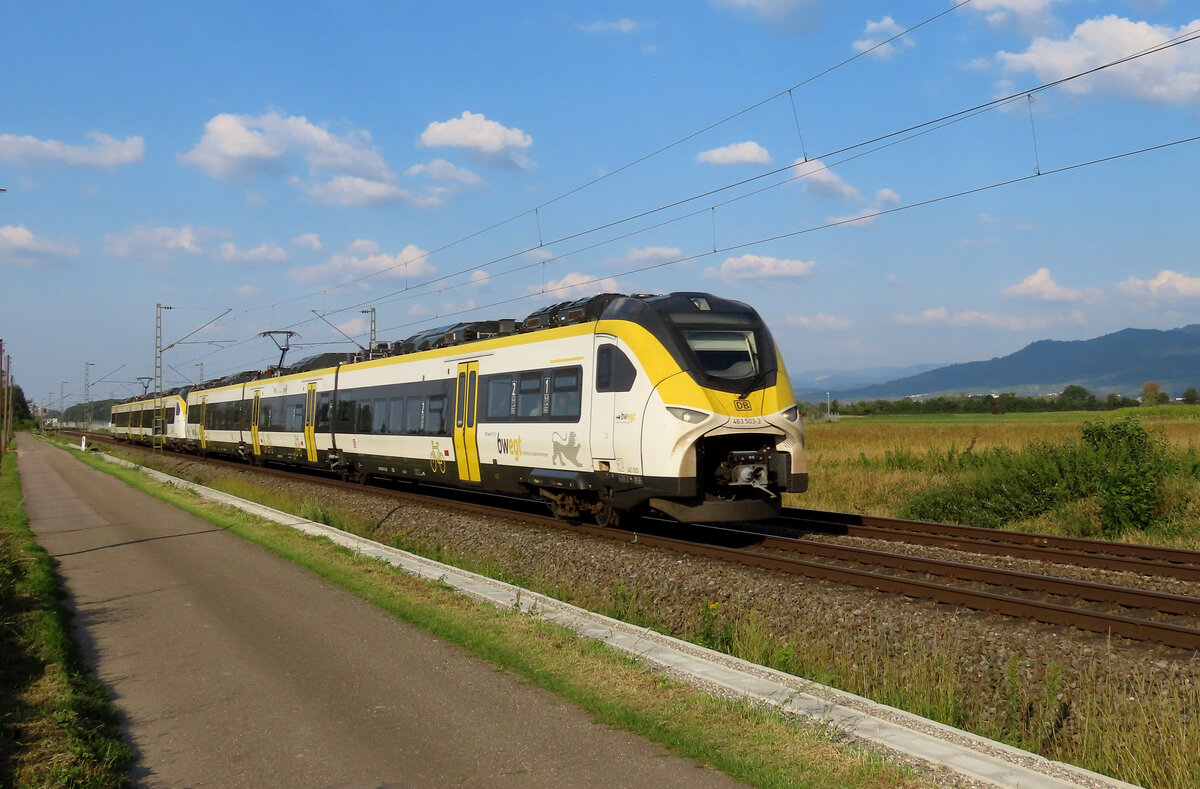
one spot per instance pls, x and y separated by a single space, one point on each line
1169 77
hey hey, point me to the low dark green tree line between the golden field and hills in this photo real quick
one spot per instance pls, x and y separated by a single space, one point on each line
1072 399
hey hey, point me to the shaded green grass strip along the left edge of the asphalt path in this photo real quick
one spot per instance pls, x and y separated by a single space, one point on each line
57 725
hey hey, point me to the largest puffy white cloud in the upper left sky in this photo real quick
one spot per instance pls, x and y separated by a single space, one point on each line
238 148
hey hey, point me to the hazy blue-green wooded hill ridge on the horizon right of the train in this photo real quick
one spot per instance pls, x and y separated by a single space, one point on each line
1119 363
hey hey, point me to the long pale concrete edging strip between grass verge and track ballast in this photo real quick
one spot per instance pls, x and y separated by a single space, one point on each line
893 730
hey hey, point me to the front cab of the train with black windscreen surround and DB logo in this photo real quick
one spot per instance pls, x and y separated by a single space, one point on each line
716 421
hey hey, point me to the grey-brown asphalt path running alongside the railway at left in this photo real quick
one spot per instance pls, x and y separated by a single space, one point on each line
232 667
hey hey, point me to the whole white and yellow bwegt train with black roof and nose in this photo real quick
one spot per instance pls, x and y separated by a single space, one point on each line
677 403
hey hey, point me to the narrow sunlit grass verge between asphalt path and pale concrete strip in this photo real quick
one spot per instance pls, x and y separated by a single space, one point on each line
749 743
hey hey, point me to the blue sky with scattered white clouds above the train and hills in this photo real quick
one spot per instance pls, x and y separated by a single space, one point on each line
459 161
